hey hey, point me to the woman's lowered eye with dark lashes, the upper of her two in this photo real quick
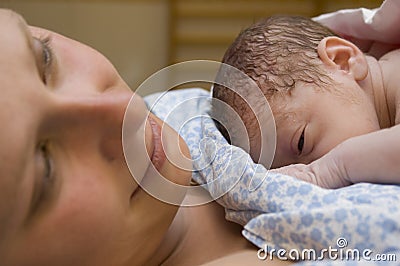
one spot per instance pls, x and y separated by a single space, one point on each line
44 58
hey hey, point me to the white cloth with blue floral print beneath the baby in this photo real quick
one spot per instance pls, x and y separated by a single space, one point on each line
279 212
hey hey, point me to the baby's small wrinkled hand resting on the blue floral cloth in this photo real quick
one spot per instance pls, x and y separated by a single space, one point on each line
324 172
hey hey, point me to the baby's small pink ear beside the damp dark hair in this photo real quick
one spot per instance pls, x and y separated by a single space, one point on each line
343 55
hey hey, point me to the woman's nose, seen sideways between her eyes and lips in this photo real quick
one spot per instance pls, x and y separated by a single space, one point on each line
95 121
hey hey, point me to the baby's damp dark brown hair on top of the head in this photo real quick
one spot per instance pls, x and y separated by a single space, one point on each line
275 52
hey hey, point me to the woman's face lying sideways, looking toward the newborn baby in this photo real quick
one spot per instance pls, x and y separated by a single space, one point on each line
66 194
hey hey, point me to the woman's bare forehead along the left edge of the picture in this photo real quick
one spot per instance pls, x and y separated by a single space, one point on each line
16 112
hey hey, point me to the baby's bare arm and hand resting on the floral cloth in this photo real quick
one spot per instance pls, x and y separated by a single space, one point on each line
374 158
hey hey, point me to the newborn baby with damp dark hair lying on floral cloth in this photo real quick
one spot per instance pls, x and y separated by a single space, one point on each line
336 109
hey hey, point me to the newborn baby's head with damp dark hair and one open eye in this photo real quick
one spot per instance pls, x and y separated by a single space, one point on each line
291 58
